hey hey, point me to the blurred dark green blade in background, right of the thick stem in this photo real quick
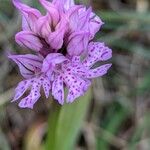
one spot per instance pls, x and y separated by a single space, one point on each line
111 125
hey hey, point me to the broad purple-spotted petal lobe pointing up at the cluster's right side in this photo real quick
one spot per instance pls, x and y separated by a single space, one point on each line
97 52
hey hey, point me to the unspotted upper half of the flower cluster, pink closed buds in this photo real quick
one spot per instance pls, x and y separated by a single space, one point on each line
63 24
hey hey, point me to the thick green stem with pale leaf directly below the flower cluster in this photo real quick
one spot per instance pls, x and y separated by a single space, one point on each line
65 123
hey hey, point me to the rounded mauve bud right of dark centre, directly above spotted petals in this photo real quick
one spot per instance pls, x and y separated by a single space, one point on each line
78 43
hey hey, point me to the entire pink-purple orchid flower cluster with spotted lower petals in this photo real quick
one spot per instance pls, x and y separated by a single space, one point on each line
65 55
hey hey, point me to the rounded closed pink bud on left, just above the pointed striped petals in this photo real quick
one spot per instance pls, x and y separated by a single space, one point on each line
28 39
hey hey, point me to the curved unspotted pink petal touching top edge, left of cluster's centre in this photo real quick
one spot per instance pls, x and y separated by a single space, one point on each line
52 11
